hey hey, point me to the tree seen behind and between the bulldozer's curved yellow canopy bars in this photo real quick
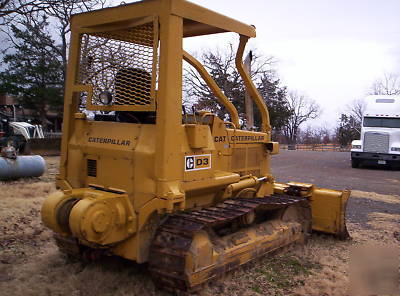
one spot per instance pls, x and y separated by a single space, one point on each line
221 67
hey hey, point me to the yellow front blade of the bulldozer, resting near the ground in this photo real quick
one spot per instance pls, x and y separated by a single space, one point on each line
328 206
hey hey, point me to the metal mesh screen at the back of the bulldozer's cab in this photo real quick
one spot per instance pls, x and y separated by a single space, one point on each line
121 62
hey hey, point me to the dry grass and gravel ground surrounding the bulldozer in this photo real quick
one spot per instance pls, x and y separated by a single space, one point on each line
30 264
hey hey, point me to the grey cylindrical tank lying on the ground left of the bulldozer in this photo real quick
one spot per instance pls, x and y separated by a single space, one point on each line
21 167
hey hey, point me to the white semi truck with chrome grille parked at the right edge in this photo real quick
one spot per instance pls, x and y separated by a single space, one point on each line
380 133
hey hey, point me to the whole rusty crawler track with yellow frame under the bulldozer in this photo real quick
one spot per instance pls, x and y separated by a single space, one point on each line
193 247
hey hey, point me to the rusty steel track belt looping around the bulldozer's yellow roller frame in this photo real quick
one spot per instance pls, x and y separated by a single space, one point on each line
172 244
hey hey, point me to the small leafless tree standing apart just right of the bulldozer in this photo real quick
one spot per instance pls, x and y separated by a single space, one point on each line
303 109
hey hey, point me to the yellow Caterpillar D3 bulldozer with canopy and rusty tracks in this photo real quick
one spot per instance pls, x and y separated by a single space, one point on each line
190 194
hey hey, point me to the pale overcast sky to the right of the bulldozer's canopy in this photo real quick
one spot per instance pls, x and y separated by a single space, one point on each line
332 51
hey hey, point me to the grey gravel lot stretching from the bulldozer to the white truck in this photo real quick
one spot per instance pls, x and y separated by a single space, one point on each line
333 170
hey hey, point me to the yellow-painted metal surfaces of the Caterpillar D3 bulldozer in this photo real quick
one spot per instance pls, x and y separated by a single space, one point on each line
127 175
